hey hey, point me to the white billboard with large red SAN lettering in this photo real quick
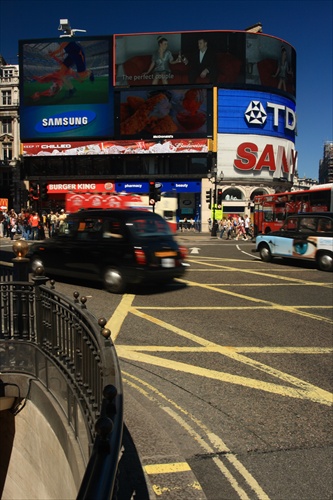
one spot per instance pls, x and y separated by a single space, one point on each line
253 157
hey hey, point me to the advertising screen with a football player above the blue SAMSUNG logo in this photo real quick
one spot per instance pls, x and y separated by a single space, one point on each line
66 88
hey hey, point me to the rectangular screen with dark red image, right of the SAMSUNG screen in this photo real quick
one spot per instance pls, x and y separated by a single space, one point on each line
164 113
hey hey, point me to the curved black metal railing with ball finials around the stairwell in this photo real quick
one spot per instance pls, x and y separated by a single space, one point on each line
58 342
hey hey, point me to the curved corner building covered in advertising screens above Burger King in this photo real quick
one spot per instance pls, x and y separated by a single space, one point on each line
225 124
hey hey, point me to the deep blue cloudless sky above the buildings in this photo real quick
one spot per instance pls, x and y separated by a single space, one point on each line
306 24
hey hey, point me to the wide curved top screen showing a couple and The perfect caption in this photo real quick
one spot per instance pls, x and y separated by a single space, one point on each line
221 58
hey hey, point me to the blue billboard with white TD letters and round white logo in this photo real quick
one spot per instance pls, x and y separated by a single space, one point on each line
251 112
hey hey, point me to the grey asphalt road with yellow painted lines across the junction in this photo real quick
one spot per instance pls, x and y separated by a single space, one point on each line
227 377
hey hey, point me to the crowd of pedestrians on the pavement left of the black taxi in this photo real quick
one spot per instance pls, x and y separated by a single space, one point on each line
29 225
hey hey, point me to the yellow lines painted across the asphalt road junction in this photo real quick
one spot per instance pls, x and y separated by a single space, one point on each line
298 388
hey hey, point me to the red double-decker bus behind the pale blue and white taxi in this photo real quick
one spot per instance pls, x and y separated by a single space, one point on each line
270 210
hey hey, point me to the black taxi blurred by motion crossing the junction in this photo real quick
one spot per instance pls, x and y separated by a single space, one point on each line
116 247
